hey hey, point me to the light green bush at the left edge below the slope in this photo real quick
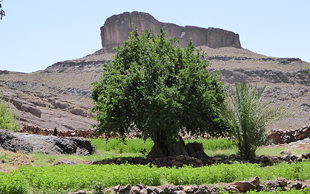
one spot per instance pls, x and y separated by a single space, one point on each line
7 119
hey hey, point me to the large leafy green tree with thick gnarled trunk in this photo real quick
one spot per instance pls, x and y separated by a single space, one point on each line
155 86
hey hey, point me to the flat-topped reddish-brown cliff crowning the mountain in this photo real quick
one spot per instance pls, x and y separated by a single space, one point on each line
116 28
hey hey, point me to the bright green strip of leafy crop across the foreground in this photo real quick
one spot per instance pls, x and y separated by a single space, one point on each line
68 178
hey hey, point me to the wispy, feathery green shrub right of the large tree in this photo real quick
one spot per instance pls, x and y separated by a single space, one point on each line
248 117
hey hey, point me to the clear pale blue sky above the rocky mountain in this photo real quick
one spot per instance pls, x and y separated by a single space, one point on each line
35 34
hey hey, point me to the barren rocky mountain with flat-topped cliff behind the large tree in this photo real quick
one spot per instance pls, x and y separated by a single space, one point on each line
59 96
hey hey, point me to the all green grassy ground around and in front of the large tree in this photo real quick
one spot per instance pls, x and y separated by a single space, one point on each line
39 176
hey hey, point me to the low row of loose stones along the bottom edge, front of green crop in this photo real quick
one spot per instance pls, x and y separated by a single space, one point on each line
237 187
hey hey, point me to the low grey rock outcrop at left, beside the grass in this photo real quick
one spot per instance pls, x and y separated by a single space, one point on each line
31 143
